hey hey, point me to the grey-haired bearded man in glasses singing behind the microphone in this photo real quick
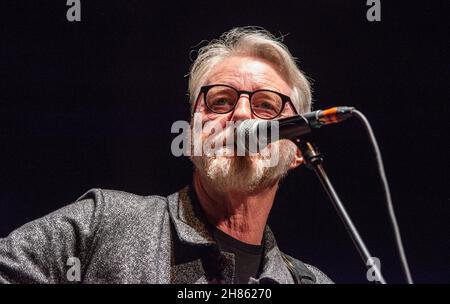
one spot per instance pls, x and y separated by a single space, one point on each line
212 231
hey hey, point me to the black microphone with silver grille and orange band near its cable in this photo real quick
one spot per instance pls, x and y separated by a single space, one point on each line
251 133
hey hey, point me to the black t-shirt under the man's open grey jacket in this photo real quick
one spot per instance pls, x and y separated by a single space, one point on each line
247 257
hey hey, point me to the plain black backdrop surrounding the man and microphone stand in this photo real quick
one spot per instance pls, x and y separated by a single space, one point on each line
90 104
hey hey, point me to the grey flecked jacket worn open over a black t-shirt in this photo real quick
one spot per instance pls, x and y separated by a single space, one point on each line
109 236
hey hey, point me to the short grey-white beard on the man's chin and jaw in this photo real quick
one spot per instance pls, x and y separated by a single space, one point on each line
227 172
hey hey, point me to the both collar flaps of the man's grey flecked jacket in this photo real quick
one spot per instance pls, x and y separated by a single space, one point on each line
191 228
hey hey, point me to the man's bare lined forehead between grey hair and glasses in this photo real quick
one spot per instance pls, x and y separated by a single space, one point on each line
248 73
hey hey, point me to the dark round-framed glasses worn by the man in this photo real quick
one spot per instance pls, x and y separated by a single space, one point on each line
265 104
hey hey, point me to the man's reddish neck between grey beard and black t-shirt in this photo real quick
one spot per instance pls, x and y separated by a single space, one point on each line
240 215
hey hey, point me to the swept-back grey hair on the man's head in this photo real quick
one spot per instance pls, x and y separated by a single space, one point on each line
251 41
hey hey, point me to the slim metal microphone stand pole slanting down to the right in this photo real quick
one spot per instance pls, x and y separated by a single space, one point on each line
313 160
